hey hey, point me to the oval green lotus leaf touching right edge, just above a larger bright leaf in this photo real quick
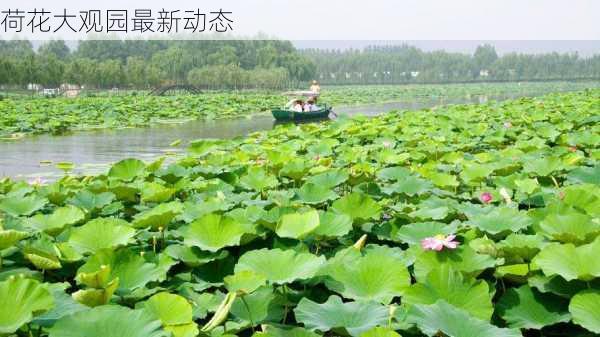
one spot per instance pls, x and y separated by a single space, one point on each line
569 226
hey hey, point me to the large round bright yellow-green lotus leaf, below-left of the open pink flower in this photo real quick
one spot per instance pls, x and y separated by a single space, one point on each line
376 275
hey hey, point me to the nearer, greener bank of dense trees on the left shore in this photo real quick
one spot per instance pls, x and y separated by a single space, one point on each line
145 64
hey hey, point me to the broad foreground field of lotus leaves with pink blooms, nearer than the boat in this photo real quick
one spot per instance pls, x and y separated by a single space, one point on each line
469 220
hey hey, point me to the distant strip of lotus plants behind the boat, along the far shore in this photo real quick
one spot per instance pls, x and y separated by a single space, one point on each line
21 116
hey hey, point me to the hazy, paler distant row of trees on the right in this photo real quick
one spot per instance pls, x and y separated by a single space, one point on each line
407 64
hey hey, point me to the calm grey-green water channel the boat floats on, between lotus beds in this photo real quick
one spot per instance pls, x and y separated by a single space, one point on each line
93 151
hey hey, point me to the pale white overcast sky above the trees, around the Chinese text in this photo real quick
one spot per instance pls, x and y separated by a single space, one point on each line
356 20
